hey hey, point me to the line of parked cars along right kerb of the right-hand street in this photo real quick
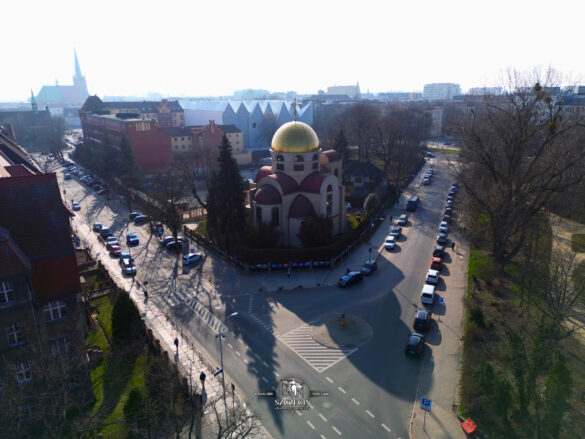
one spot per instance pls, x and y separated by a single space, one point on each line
423 317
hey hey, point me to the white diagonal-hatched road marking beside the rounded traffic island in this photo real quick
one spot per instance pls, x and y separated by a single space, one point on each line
318 356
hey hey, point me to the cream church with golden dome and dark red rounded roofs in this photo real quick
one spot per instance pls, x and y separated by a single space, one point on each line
302 182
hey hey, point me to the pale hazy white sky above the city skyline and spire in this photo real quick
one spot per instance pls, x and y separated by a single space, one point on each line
214 47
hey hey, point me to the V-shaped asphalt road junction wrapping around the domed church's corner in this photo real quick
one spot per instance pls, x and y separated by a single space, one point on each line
371 391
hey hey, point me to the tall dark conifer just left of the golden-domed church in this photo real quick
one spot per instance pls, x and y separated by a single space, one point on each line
225 199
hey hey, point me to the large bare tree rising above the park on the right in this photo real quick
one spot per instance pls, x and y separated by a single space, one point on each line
519 150
